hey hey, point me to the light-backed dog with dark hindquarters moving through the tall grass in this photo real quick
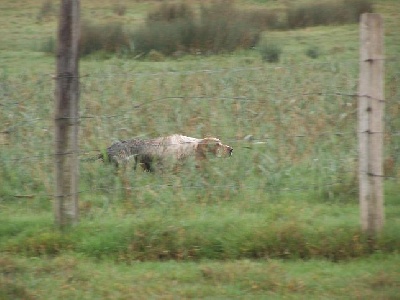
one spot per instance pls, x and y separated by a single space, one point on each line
157 153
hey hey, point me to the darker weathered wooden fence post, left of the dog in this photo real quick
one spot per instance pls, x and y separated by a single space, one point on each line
66 115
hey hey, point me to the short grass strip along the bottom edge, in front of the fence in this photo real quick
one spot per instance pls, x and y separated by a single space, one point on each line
70 276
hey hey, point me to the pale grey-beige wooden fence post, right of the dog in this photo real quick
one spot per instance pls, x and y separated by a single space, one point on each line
371 130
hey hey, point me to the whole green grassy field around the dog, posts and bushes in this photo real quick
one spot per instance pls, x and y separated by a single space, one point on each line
278 220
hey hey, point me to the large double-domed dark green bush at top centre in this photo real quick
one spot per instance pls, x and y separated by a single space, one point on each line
173 28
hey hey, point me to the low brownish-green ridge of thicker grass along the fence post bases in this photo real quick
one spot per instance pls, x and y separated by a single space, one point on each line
233 237
